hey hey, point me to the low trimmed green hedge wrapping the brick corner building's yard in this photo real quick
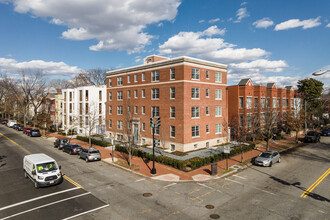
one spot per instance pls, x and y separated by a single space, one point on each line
193 163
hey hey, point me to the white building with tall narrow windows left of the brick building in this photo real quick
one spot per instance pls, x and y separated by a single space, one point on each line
84 110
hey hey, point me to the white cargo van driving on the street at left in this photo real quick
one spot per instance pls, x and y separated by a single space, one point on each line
42 170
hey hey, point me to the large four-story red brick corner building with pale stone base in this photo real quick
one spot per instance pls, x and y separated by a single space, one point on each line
188 94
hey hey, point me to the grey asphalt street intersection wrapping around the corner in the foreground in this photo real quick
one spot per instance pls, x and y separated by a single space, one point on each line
255 193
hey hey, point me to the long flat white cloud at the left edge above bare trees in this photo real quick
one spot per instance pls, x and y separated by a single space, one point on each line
11 66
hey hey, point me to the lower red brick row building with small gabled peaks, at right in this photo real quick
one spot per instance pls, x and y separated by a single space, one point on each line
246 99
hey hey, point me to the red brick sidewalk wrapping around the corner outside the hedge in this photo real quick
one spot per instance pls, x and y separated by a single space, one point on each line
144 167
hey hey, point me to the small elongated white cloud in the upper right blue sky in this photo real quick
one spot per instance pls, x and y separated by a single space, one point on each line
294 23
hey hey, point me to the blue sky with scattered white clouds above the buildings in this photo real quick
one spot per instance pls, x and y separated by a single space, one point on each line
266 40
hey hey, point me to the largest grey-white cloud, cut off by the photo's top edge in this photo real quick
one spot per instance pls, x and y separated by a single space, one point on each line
116 24
